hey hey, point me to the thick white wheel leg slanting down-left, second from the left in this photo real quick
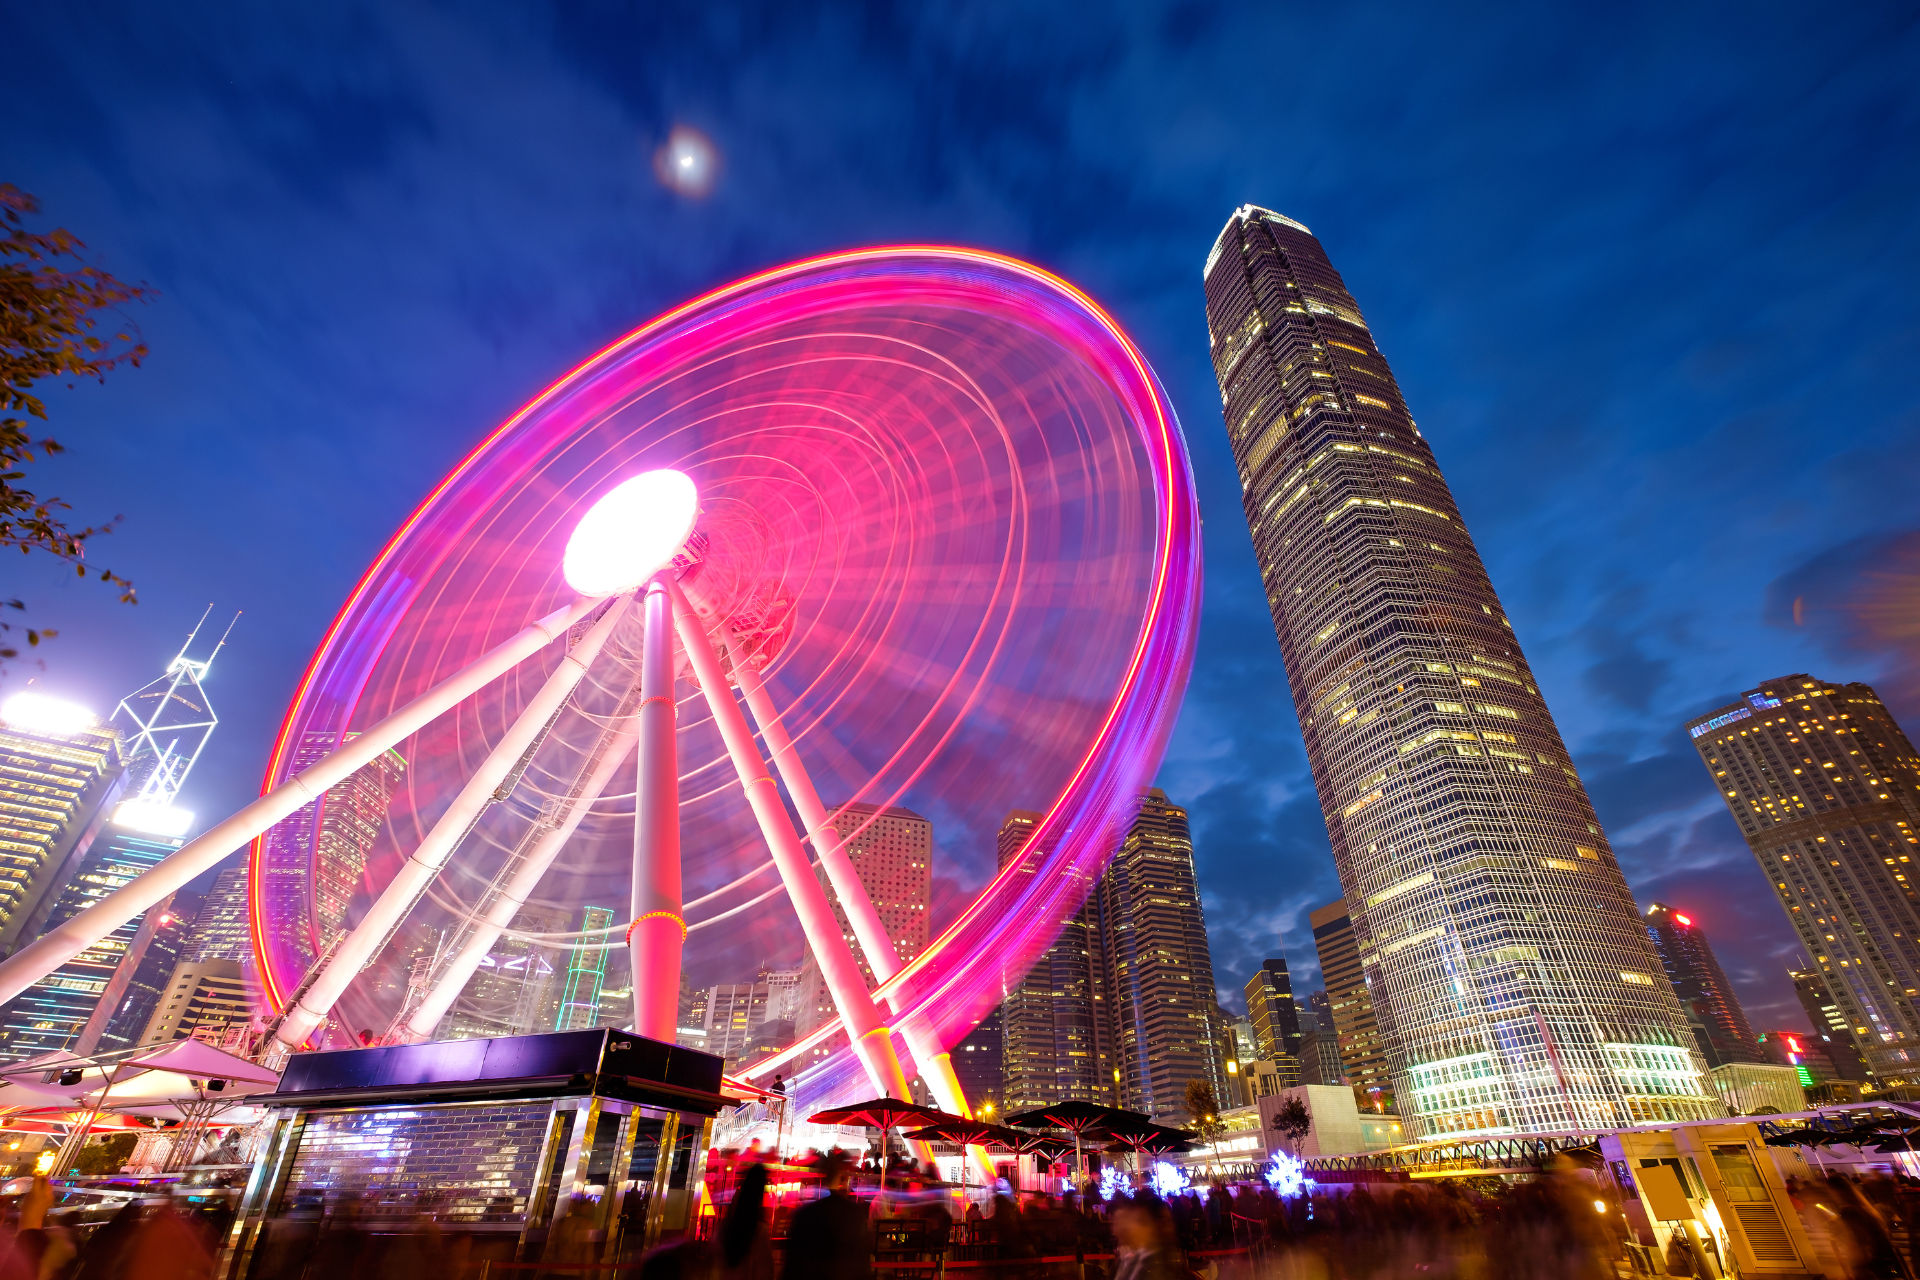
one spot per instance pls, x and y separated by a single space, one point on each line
391 909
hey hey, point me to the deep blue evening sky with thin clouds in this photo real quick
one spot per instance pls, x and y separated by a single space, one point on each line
1648 273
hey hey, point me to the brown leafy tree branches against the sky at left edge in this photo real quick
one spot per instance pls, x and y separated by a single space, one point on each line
51 304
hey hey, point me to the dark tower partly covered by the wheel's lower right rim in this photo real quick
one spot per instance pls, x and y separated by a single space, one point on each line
1055 1039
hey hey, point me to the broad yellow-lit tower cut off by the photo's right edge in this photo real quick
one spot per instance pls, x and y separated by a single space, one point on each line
1827 790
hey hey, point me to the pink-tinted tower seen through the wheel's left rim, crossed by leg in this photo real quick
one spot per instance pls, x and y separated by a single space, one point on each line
348 822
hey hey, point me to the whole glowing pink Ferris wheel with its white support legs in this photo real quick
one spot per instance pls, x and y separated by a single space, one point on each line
903 527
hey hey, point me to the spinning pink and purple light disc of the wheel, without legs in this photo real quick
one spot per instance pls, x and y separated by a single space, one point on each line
946 511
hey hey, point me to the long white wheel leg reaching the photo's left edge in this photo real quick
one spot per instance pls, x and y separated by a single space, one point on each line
66 941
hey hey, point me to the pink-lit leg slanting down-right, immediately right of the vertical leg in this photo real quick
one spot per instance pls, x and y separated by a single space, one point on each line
873 1039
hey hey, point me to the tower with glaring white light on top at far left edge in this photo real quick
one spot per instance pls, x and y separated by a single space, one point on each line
60 774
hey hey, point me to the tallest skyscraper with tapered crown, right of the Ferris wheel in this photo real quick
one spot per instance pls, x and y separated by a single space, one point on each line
1510 974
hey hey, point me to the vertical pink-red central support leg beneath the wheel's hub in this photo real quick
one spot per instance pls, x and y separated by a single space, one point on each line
660 928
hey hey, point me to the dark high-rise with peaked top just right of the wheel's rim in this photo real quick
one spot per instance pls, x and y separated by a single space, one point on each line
1161 970
